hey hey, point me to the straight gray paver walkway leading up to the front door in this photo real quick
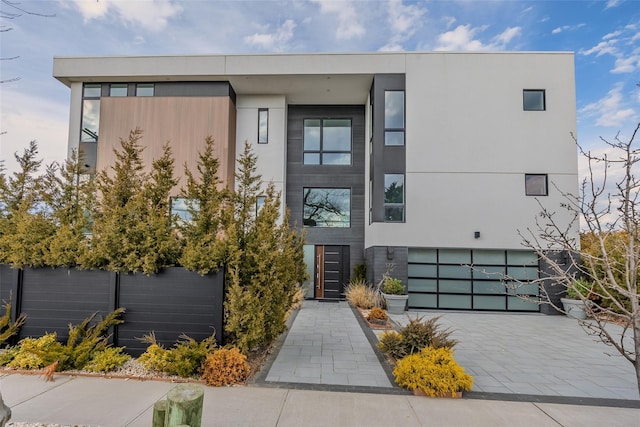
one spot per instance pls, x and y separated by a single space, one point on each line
327 345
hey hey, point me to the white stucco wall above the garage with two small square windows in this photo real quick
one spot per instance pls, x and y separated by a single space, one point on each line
469 144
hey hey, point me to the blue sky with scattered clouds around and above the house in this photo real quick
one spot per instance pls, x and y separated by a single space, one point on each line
605 36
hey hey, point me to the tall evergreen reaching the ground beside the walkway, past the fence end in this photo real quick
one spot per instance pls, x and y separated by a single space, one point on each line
264 264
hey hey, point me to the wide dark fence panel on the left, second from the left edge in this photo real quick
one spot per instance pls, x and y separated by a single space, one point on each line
52 298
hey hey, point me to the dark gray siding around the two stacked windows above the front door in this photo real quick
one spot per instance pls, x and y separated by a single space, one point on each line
328 176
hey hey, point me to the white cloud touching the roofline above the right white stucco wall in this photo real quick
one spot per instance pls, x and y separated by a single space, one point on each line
463 38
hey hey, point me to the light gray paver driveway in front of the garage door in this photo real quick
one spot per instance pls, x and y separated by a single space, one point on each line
535 354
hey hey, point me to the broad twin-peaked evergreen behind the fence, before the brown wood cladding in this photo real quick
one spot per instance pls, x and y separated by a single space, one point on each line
132 227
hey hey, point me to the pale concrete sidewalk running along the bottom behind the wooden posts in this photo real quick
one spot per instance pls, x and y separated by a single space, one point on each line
83 401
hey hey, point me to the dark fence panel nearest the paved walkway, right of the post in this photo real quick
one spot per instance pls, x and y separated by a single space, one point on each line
171 303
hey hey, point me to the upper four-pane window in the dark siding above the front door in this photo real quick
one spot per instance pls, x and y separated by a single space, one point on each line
327 142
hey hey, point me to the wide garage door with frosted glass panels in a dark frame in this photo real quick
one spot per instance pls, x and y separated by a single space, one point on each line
465 279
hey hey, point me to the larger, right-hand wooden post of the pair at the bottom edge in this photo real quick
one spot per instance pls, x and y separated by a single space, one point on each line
184 405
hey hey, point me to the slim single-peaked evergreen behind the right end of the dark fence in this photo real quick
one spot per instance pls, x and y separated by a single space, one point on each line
203 232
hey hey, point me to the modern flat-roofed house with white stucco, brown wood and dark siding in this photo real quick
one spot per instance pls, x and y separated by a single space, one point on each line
428 163
